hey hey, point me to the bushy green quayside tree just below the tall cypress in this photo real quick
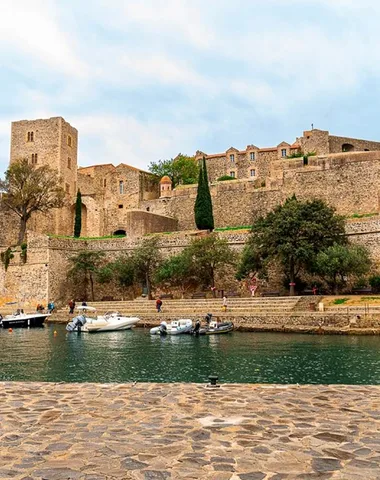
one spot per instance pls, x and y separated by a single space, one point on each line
210 255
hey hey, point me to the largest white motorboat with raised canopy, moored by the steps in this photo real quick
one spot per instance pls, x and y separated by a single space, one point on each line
87 321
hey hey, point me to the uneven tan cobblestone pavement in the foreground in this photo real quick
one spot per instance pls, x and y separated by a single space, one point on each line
188 431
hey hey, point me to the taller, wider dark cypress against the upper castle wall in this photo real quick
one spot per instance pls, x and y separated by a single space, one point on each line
203 214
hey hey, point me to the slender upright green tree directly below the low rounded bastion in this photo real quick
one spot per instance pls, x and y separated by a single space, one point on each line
146 259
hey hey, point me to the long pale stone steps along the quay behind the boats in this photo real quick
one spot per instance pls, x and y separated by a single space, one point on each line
236 306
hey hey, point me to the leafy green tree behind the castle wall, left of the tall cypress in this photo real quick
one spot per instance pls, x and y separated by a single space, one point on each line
181 170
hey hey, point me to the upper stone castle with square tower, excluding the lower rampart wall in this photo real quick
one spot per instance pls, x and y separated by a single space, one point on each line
126 200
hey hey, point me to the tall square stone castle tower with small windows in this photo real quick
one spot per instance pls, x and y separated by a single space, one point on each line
52 142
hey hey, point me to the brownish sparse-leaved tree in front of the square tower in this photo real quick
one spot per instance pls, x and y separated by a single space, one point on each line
29 189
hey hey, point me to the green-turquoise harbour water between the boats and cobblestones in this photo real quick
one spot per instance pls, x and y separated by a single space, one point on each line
133 355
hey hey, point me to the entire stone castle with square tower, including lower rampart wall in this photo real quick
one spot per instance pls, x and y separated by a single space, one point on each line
345 172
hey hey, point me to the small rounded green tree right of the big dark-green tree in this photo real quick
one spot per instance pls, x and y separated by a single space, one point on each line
338 263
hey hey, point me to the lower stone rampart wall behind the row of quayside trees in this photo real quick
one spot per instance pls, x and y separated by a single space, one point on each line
44 276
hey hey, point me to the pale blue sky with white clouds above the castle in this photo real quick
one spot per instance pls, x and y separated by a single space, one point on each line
143 80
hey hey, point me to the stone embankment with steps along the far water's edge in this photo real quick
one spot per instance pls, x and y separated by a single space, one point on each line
278 314
